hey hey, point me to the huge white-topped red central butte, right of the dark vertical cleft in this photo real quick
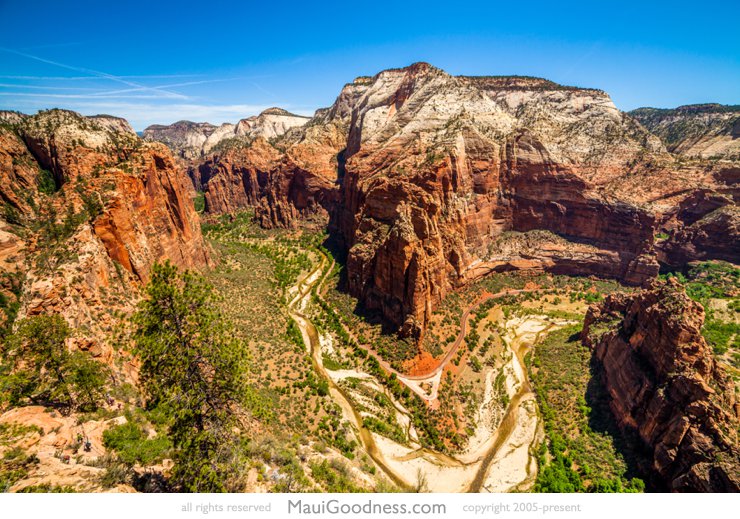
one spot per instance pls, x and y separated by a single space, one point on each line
438 168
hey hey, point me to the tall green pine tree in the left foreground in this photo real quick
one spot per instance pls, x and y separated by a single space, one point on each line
192 365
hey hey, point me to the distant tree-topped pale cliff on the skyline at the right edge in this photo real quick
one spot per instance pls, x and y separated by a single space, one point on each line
708 130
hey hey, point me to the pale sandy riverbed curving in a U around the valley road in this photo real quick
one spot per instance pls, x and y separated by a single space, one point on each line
499 456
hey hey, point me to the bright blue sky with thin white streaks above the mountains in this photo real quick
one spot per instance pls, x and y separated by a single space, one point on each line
216 61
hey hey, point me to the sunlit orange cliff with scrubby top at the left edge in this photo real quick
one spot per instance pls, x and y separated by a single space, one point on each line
109 206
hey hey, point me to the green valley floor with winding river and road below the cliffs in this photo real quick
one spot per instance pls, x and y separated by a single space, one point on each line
461 412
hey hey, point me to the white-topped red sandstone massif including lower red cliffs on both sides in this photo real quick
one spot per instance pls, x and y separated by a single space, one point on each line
430 181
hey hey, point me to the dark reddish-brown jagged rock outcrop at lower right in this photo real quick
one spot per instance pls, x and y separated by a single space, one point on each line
665 384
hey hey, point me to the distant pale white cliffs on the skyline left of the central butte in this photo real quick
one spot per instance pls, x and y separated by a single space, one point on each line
191 140
